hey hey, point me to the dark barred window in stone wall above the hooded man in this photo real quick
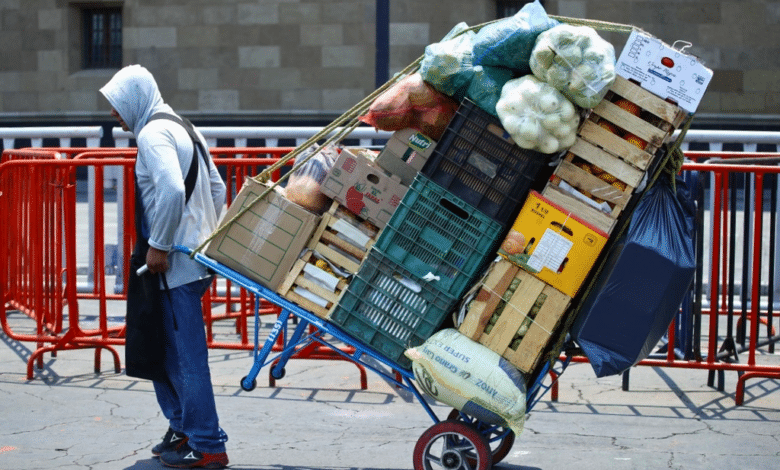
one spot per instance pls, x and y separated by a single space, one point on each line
102 28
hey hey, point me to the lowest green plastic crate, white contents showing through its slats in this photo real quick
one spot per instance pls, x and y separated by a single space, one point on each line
387 310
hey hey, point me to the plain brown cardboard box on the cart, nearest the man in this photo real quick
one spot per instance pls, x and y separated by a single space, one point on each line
264 243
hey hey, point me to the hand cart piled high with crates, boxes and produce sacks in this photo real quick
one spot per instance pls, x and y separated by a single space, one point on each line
456 262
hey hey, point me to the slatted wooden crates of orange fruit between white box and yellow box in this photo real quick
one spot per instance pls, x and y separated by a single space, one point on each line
615 146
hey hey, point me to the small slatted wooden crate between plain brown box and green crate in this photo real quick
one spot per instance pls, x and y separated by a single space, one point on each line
328 242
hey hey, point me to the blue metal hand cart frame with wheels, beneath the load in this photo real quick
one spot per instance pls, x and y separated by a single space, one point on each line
470 439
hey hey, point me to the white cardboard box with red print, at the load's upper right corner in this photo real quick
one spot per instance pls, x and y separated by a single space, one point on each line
663 70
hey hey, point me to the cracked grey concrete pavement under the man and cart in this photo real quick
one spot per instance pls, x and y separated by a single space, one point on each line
317 417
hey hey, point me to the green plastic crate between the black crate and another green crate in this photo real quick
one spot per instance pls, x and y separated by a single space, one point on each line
433 232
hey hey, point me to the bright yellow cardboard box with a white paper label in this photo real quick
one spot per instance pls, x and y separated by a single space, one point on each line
553 244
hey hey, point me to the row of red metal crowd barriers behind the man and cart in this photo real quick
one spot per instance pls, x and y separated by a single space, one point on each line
39 269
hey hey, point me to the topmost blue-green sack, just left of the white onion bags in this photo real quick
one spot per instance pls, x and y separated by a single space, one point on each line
509 41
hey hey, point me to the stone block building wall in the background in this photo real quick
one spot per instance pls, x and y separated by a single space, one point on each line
251 58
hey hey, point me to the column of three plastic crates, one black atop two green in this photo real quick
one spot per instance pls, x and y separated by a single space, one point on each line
441 237
